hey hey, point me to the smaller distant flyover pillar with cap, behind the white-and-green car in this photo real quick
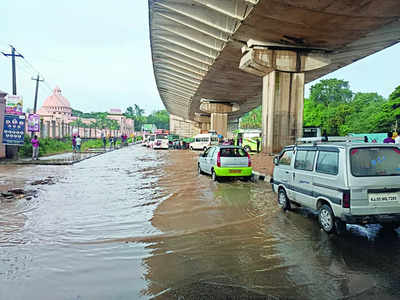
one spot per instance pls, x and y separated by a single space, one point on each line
219 115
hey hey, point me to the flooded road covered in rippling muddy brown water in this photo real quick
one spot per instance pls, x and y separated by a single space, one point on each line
142 224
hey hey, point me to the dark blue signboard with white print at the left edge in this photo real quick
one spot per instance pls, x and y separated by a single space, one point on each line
14 130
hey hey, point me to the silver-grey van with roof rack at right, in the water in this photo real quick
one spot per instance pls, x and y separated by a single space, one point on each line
345 182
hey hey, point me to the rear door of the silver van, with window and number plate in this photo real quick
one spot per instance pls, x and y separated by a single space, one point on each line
374 180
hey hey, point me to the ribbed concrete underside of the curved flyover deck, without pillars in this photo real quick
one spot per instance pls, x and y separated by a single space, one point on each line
197 45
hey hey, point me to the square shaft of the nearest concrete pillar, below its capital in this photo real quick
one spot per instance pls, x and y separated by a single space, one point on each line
282 109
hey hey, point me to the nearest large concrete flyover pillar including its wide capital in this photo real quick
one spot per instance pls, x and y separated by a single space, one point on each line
283 73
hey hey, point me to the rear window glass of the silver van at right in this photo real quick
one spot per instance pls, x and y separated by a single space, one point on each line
375 161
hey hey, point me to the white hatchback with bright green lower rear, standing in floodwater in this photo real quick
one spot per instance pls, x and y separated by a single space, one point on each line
225 161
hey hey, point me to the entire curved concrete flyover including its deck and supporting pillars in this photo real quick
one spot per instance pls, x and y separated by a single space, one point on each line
217 59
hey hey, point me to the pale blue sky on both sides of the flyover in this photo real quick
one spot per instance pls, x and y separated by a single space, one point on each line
98 53
